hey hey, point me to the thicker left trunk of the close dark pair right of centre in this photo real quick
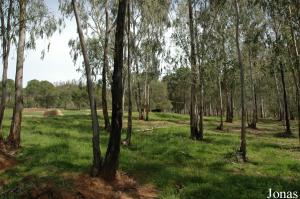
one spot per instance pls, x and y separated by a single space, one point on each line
193 109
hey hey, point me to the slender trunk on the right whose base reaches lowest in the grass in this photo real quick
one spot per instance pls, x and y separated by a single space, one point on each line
243 113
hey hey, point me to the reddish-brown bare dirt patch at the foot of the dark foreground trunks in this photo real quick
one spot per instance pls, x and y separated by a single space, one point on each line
86 187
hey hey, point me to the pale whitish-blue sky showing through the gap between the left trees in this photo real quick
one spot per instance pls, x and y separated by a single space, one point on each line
57 64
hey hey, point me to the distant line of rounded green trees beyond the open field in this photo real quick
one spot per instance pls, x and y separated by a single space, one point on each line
73 95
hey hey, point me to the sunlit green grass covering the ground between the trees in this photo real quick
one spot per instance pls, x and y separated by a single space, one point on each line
165 157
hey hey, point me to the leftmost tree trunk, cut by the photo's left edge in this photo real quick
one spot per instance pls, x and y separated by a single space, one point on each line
6 43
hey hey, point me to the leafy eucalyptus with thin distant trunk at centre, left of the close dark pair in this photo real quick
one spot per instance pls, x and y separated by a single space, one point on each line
151 30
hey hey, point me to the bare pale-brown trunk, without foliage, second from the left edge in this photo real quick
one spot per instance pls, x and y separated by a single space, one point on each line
14 137
